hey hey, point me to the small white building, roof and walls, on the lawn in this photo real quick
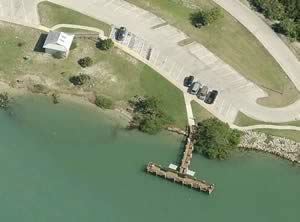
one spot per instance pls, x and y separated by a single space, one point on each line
58 43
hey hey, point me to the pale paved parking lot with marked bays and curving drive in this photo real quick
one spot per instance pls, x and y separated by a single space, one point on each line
152 38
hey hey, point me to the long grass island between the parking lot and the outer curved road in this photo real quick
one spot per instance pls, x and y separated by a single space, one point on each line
233 43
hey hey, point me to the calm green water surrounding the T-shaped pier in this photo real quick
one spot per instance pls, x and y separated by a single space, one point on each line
67 162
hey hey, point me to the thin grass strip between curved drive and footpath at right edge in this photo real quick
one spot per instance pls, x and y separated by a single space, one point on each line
244 120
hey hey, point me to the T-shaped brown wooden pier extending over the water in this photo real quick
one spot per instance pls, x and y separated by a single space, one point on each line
181 175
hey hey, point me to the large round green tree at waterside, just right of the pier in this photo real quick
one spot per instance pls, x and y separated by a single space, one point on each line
215 139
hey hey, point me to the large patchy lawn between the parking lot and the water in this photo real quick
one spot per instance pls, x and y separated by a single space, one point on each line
114 73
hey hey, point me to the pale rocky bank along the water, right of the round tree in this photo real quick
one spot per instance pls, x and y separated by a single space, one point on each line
278 146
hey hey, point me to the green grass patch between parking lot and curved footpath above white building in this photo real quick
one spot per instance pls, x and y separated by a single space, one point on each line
52 14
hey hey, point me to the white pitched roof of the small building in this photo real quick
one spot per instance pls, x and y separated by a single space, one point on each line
59 41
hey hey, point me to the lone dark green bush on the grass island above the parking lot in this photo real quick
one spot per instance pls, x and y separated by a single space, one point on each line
206 17
